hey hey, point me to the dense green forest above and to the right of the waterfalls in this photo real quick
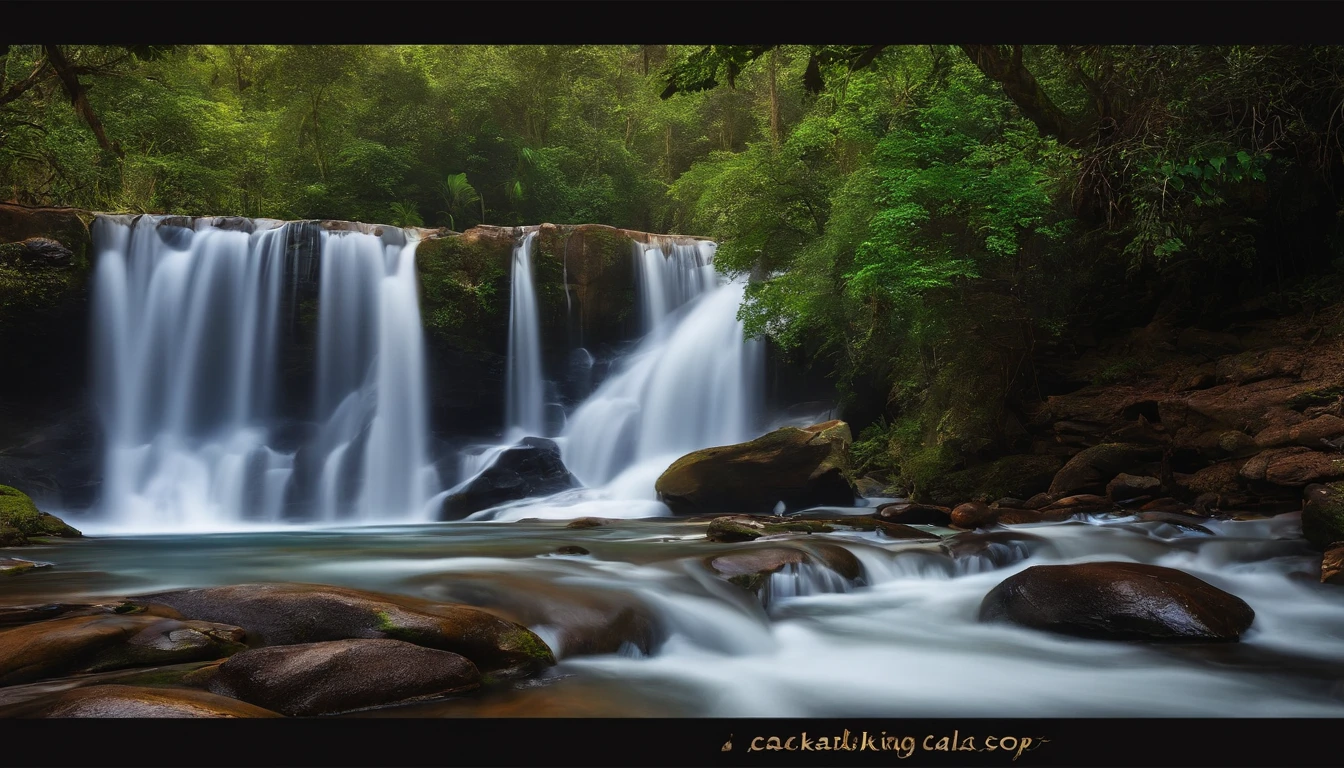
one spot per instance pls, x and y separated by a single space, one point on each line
936 225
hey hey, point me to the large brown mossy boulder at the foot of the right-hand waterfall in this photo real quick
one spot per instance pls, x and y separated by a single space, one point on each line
799 467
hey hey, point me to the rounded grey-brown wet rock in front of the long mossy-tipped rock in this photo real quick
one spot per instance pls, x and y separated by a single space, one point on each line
342 676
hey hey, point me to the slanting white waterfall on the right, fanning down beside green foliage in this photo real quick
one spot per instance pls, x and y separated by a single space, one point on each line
693 383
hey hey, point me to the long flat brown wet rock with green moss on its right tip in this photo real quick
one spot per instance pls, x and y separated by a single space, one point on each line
290 614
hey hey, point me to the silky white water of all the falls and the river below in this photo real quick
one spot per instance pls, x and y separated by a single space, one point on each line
209 484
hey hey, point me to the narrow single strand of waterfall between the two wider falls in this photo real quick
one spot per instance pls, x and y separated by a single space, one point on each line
525 407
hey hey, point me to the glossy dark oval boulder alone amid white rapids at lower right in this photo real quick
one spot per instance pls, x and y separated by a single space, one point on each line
1119 602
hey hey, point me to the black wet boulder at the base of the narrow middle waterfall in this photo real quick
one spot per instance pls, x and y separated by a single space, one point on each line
530 469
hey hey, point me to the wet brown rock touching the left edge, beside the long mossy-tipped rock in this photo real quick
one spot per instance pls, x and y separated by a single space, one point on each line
99 644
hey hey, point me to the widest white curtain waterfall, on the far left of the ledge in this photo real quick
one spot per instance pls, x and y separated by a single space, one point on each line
189 325
